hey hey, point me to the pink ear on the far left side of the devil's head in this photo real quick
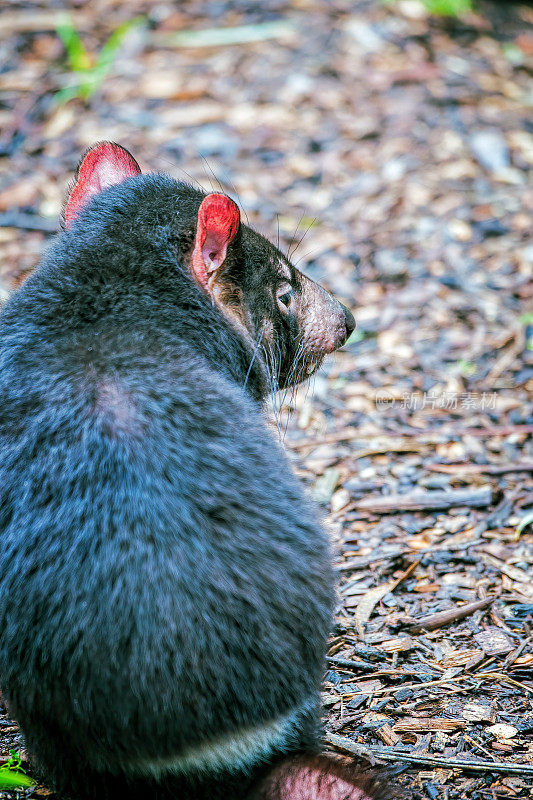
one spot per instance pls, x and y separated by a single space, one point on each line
104 165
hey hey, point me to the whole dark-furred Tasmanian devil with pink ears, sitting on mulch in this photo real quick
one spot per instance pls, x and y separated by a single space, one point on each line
165 589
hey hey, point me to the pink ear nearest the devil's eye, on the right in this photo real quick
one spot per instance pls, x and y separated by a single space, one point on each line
218 225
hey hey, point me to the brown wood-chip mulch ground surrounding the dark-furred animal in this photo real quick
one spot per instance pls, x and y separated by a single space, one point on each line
392 154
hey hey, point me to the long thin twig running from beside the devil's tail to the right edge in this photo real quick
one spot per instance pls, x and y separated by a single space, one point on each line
386 754
